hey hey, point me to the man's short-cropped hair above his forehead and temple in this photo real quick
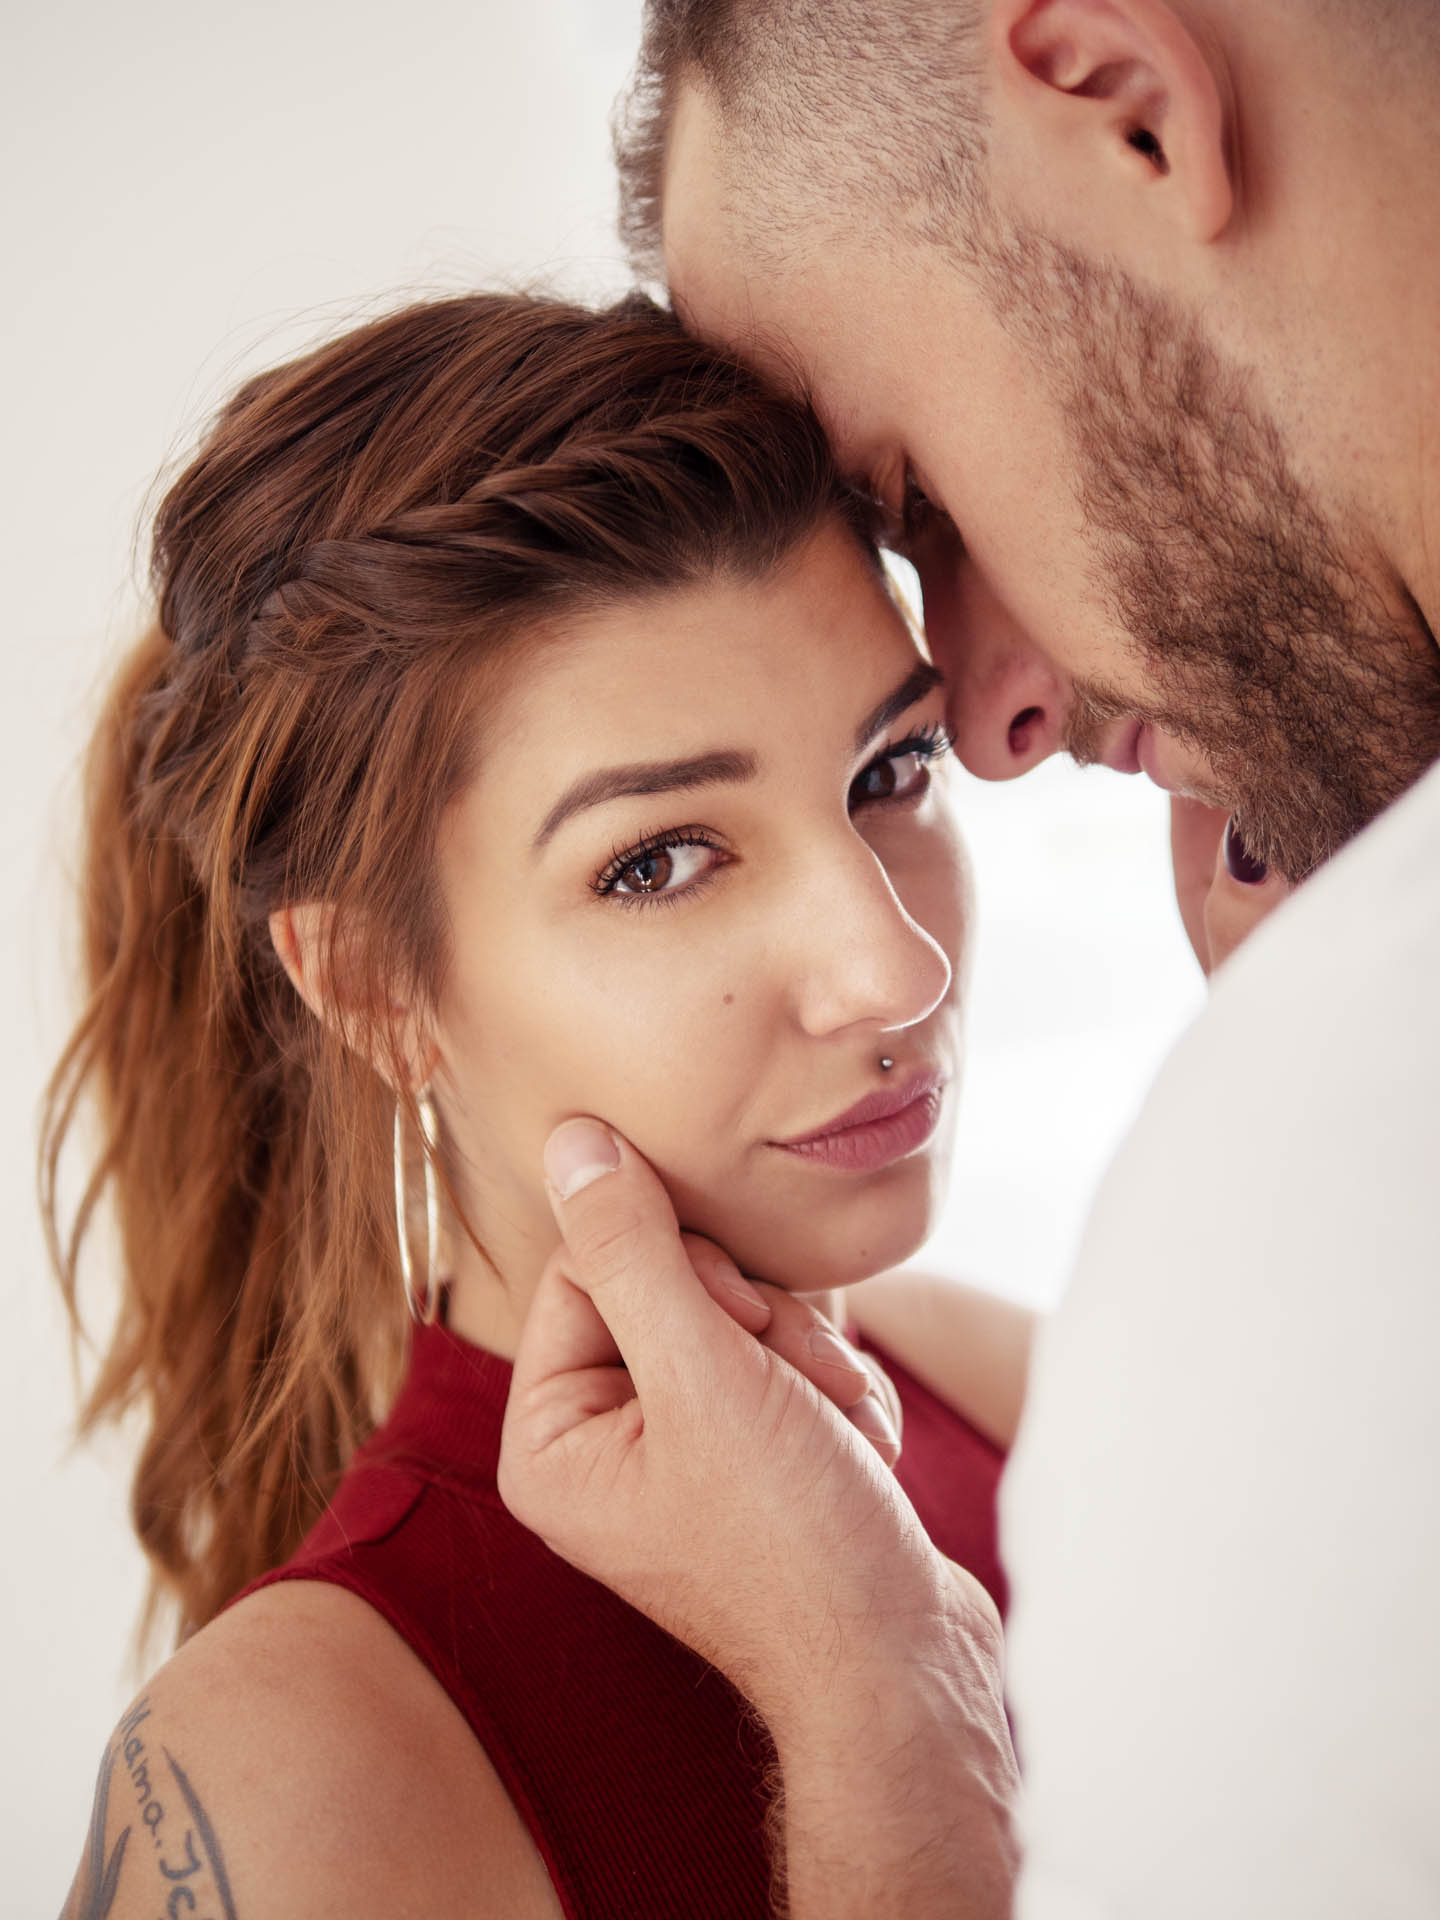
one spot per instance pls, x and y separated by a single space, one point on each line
842 107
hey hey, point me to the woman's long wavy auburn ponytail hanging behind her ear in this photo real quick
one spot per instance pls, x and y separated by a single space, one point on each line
206 1111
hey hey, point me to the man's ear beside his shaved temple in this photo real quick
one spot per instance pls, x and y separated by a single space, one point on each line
1120 116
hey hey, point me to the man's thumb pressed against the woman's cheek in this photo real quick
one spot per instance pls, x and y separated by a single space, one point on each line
623 1249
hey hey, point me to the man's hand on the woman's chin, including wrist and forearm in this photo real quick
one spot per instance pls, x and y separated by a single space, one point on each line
669 1452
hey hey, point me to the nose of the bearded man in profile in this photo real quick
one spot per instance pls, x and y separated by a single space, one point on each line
1007 706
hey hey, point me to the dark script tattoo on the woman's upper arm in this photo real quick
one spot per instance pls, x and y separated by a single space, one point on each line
193 1881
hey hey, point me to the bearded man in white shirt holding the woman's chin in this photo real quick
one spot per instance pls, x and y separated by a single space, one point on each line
1128 314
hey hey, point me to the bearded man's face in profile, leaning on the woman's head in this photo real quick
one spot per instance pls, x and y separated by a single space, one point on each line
1124 564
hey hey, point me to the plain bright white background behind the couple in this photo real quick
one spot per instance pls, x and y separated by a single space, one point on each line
193 191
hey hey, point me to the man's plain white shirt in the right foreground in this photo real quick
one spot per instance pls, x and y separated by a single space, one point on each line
1224 1510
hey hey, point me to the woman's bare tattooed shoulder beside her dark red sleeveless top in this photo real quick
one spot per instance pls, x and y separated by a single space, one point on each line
299 1760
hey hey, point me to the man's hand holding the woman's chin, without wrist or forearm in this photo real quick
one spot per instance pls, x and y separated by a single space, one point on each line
683 1451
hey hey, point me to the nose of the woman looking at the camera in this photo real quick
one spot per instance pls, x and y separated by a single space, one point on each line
865 959
